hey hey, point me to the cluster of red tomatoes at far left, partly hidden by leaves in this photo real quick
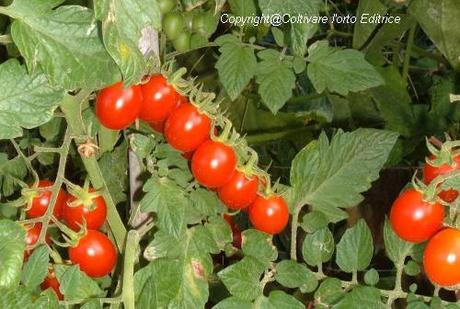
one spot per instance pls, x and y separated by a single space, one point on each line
94 252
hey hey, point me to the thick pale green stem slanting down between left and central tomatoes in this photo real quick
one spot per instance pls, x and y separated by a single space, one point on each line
71 109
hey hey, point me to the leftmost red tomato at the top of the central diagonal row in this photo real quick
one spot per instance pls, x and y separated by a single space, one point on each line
118 107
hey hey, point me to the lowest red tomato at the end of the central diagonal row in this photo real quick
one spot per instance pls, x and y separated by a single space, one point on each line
269 214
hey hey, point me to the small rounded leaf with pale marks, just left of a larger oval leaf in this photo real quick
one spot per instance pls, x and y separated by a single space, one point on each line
318 247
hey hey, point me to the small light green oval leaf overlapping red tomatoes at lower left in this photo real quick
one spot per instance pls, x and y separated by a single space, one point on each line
36 268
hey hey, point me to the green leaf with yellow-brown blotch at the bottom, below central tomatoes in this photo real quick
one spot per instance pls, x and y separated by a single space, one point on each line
189 273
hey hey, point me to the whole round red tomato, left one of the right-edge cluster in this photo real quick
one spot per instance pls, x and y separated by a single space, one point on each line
414 219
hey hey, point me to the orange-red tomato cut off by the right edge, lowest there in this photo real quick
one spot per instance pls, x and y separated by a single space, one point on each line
441 259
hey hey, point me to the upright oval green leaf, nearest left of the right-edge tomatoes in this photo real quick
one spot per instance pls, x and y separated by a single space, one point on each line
356 248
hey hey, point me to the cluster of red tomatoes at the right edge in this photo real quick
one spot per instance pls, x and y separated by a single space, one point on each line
416 219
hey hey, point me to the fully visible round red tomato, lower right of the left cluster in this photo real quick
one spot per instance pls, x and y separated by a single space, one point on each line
95 254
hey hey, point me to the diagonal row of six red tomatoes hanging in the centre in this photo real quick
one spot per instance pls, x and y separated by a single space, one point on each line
186 128
